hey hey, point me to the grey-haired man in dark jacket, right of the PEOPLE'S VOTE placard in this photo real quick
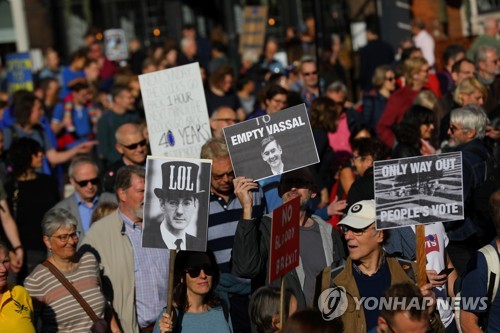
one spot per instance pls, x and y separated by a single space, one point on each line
466 131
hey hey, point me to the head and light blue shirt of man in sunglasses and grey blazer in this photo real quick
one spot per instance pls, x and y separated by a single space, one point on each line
83 174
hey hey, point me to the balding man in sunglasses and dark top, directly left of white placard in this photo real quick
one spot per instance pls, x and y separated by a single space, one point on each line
133 148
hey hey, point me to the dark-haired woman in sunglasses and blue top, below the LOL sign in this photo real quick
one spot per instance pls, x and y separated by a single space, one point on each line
197 306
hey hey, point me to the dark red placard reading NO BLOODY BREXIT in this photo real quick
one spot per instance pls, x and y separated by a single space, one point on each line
284 254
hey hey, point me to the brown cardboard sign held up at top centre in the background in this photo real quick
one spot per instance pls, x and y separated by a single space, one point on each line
254 29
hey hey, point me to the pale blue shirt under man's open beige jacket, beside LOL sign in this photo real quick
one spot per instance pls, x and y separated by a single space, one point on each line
151 275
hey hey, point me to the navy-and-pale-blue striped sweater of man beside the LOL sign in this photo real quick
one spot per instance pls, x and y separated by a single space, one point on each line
222 223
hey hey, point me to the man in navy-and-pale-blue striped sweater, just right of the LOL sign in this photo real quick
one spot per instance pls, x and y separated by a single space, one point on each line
225 212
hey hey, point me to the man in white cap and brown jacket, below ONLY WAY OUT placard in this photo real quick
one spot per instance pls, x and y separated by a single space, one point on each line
368 272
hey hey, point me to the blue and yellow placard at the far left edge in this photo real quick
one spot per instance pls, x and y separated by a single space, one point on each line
19 74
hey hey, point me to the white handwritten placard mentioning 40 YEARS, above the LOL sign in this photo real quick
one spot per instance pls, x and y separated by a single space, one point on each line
176 111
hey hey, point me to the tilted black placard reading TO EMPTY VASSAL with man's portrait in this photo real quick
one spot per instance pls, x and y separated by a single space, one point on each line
272 144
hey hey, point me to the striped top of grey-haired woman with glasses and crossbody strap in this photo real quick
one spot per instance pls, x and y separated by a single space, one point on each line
58 309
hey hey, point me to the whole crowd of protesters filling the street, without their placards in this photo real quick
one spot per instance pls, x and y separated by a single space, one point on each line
83 127
